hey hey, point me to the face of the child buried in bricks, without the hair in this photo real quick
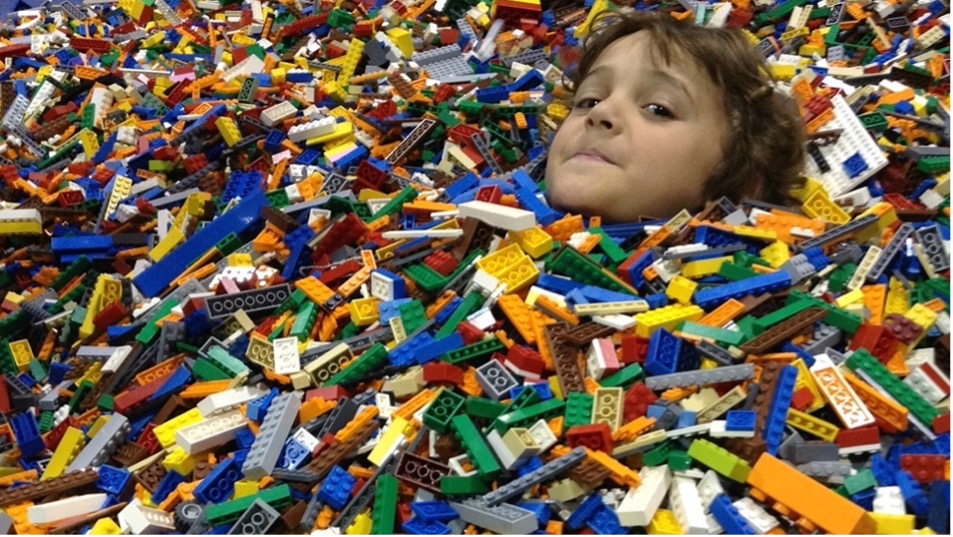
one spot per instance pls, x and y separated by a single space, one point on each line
642 137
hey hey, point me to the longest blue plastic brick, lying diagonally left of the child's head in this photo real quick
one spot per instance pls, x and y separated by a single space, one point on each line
157 277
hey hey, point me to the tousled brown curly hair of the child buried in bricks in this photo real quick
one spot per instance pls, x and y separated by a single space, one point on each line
765 149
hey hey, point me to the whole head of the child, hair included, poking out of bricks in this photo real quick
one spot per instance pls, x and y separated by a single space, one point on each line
667 115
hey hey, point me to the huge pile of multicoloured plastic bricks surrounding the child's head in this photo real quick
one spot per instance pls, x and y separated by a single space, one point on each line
281 268
